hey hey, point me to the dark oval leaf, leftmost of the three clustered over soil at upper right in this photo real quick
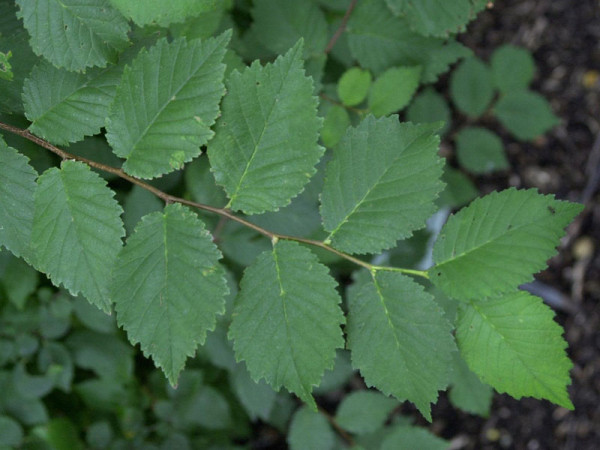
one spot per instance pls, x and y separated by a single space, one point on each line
471 87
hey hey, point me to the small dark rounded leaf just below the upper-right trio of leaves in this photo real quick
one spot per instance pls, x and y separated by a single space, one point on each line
480 151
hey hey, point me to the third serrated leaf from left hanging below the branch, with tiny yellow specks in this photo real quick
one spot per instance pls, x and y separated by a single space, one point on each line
159 307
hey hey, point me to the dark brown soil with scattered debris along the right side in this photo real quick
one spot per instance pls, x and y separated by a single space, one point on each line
564 37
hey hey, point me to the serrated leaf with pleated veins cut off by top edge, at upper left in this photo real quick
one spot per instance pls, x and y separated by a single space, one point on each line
74 34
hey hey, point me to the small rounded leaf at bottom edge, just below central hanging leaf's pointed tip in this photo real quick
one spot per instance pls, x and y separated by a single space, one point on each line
310 429
